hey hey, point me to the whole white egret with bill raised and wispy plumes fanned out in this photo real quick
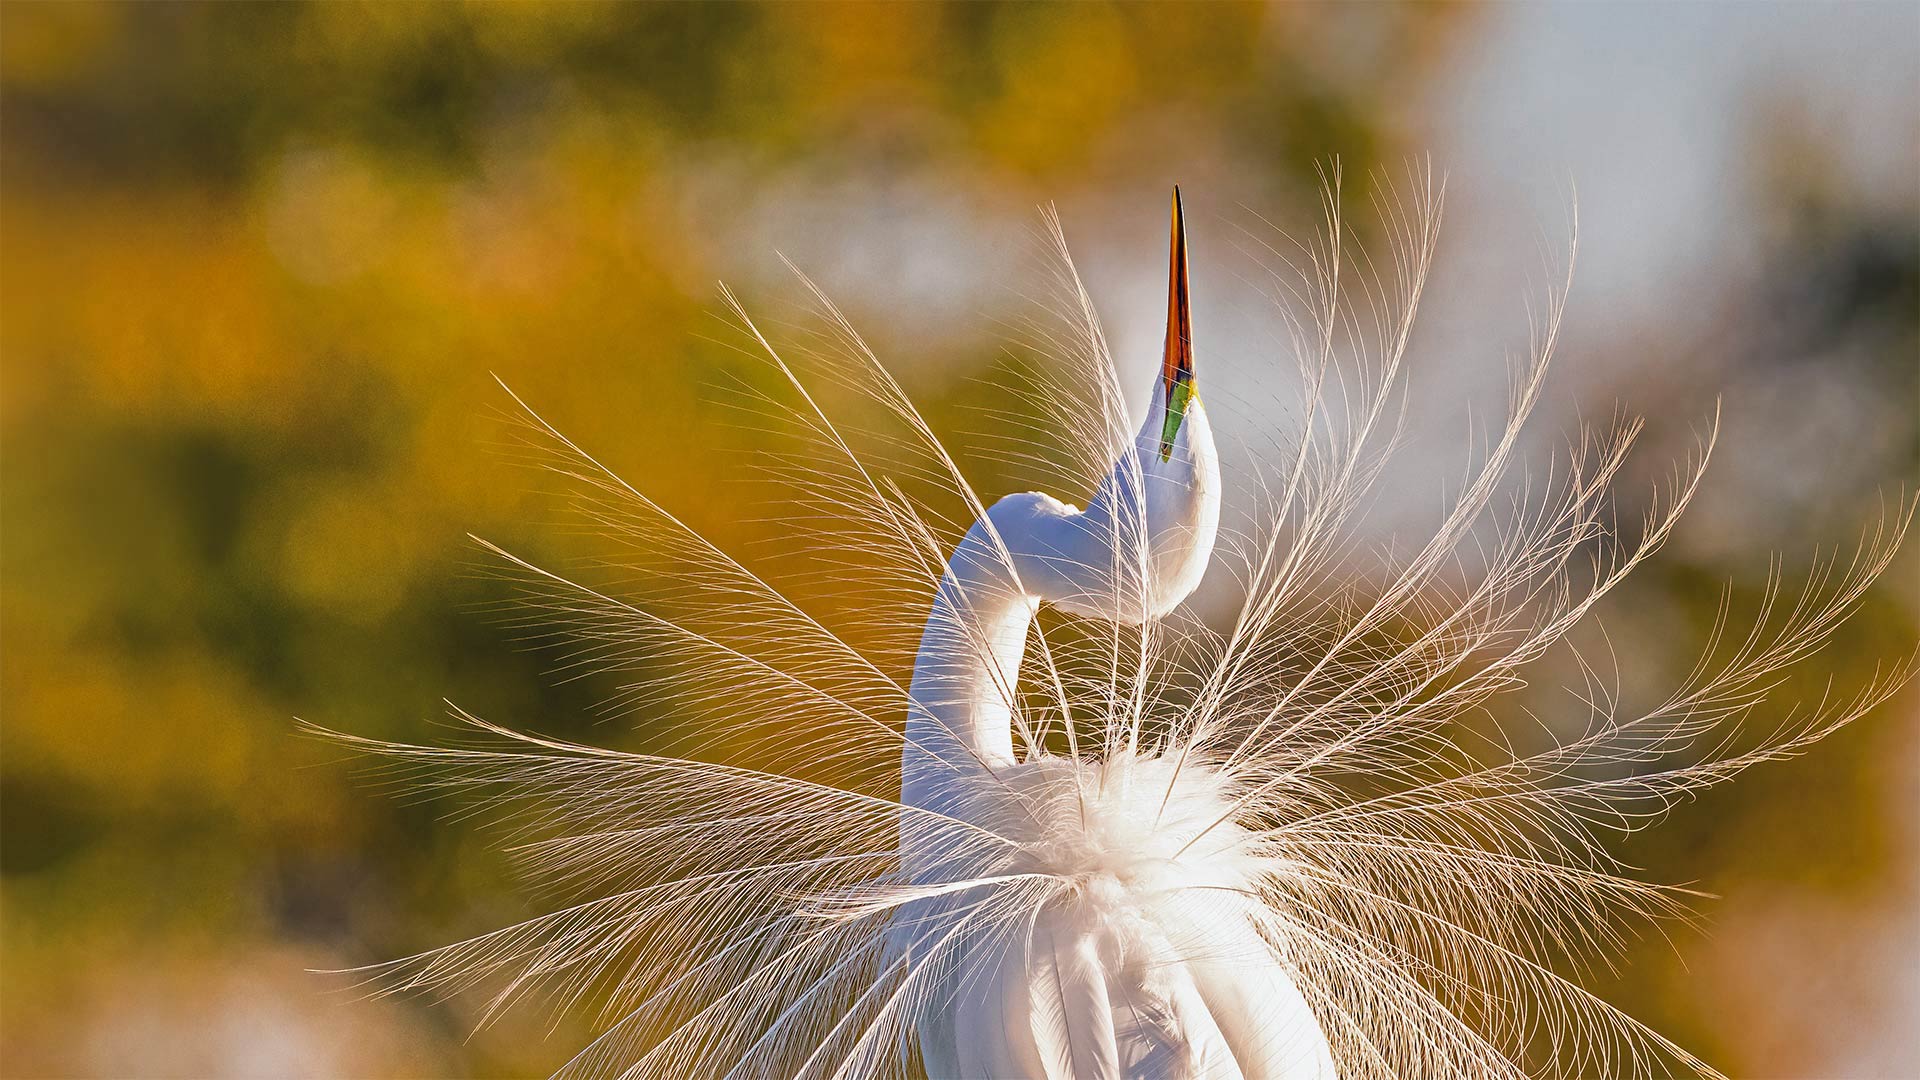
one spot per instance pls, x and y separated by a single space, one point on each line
1126 845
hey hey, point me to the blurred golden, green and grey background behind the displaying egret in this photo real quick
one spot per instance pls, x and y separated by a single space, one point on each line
258 264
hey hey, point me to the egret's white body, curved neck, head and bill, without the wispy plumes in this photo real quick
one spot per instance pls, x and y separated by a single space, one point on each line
1149 960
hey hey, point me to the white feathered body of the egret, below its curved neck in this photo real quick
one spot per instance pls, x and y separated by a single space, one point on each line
1147 966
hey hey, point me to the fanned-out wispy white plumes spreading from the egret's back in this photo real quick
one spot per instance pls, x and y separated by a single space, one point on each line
1433 889
